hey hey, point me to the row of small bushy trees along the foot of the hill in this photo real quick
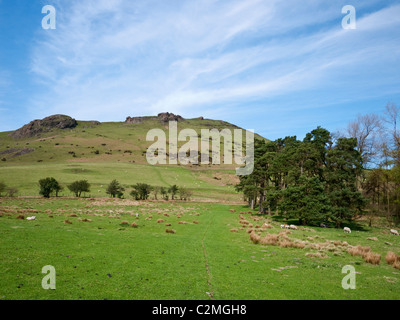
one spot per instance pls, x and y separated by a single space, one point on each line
141 191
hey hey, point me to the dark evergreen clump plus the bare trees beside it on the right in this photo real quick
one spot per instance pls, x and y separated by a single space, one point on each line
330 178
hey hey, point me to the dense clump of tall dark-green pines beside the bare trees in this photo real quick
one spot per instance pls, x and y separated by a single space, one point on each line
313 180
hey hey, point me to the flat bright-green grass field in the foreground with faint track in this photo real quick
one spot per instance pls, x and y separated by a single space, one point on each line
102 259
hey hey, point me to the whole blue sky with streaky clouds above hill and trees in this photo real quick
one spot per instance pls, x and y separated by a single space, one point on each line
279 67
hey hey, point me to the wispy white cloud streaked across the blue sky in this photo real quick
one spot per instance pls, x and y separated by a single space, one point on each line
110 59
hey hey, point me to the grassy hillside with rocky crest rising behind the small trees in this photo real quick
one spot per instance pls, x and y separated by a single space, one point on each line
100 152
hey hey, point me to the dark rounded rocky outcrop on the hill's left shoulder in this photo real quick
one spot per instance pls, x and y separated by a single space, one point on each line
37 127
